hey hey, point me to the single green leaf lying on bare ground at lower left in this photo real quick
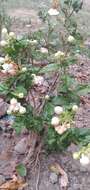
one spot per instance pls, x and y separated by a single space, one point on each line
21 169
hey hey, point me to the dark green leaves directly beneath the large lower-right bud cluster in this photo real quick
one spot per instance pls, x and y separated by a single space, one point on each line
77 136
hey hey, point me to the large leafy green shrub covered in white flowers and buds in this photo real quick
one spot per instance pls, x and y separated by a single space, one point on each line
43 95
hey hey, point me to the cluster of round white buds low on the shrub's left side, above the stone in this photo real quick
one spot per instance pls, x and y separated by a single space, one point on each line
15 107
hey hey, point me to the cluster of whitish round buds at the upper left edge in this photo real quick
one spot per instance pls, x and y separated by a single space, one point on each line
5 36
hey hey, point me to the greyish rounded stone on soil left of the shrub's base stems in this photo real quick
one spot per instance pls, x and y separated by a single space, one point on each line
21 146
